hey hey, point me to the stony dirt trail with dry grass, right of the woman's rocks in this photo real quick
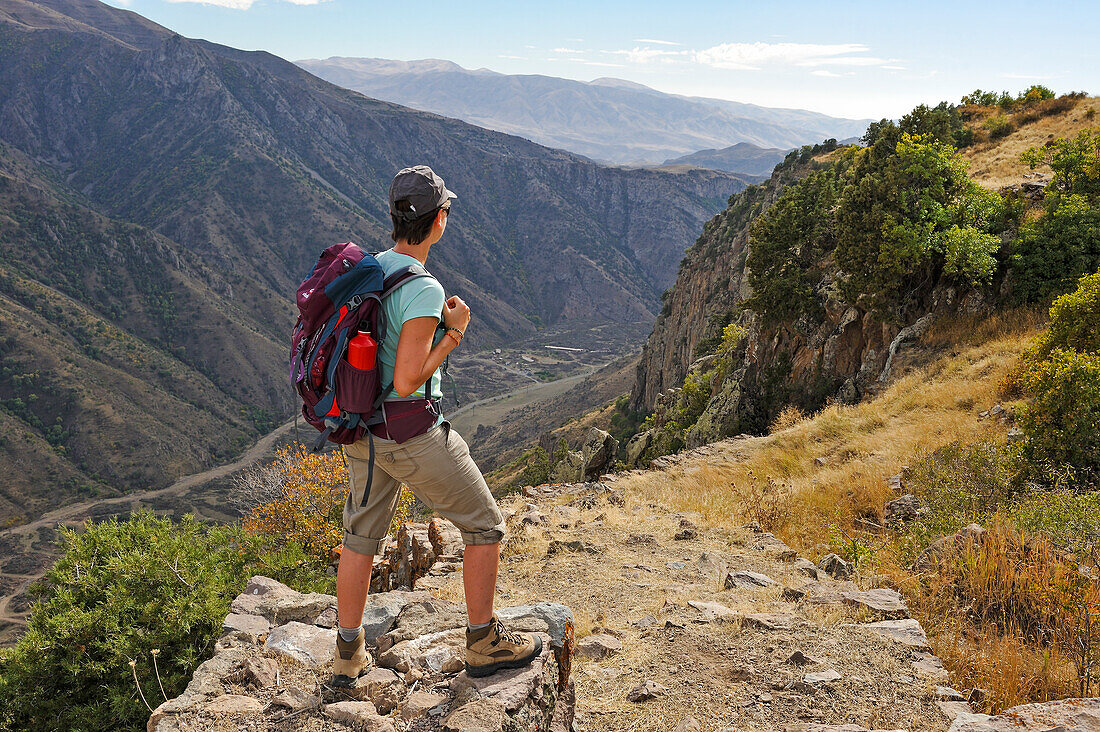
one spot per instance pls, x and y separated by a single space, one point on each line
771 649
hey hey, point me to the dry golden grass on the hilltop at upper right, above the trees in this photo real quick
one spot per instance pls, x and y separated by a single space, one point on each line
997 163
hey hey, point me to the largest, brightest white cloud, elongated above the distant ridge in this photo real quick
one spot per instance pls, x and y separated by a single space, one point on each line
755 57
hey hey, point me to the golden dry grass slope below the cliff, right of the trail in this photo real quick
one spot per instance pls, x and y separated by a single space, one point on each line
777 479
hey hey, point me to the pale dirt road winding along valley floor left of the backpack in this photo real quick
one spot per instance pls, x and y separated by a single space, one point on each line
73 516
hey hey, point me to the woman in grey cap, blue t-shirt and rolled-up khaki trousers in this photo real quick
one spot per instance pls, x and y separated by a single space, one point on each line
435 465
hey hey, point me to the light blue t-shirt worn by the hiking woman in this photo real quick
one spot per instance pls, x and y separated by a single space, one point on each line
419 299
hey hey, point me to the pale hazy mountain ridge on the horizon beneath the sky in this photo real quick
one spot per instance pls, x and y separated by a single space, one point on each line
611 121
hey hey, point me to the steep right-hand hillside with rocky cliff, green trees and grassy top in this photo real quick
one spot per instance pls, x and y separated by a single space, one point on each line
844 293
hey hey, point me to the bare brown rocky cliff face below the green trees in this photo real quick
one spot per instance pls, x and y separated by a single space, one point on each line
846 353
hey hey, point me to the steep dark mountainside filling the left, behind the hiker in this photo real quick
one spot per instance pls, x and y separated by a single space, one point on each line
161 199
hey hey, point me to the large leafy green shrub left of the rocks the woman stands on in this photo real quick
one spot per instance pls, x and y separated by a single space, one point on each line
122 592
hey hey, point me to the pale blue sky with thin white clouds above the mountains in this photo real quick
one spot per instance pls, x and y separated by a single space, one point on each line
855 60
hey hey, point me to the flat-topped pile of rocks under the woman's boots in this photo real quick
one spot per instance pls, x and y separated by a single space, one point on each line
272 667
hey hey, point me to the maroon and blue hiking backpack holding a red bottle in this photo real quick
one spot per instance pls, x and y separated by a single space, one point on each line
342 297
